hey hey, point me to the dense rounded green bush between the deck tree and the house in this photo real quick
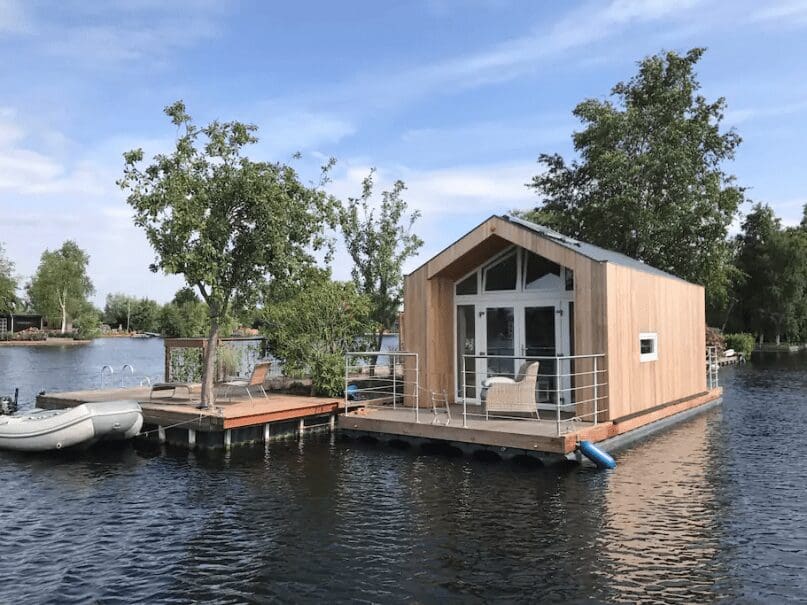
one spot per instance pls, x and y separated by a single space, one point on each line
311 330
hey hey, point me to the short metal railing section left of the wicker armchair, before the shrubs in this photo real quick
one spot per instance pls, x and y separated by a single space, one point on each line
382 379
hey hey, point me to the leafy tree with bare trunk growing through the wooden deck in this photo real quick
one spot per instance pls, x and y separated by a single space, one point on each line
224 222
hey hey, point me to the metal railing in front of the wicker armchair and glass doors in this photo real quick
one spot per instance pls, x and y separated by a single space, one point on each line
572 388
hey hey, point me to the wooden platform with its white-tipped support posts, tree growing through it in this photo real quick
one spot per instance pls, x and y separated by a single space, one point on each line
179 421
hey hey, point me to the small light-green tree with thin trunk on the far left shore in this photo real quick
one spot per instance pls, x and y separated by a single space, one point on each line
60 287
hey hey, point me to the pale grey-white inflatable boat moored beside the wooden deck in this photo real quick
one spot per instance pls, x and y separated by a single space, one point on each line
84 424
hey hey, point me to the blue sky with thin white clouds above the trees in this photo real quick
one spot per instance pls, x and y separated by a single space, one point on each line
457 98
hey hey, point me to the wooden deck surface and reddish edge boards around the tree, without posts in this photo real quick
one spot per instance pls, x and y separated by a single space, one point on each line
227 414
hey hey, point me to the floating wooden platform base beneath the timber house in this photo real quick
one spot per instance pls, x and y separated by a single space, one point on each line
516 438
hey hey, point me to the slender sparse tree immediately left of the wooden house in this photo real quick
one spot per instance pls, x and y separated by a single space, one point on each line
379 240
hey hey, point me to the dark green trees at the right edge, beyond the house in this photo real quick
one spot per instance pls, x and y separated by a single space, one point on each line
772 296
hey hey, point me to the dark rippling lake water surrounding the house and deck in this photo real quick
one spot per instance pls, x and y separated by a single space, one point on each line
713 509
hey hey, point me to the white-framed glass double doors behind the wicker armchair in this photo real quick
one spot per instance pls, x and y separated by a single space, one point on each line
503 337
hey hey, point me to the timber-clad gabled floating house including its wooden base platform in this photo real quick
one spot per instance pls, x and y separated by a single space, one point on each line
617 344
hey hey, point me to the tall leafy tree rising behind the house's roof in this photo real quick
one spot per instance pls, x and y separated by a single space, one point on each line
649 181
